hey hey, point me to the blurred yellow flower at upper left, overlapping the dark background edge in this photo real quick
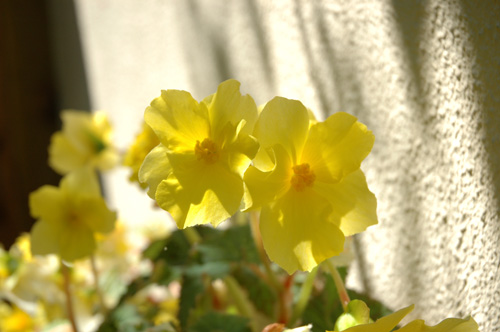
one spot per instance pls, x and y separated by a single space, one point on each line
85 140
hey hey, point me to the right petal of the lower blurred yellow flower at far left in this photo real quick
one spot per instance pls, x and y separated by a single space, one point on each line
96 215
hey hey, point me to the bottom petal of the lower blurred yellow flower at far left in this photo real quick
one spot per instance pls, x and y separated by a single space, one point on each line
76 241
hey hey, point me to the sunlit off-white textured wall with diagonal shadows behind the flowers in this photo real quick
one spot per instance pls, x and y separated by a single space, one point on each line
423 75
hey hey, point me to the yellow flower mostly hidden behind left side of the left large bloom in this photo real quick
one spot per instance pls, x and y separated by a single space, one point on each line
143 144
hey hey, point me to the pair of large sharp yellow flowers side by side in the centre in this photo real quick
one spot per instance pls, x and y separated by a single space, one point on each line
303 175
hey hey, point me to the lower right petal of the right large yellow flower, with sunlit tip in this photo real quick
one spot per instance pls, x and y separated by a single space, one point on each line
354 206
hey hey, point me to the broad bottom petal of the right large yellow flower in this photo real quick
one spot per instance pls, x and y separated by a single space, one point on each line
296 232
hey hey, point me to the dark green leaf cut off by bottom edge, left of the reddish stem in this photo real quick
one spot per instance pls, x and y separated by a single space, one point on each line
218 322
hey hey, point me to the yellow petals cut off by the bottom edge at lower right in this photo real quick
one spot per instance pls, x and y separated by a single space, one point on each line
388 323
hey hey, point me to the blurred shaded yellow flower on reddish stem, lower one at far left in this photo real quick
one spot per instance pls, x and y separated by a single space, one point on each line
69 215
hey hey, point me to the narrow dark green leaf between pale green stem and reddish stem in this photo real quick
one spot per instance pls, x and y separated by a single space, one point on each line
259 292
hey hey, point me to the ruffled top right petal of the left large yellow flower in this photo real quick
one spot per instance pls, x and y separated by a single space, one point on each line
228 106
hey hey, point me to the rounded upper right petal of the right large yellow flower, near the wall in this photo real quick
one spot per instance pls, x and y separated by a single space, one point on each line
337 146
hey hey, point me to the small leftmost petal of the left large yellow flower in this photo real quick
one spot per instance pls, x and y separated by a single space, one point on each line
155 169
